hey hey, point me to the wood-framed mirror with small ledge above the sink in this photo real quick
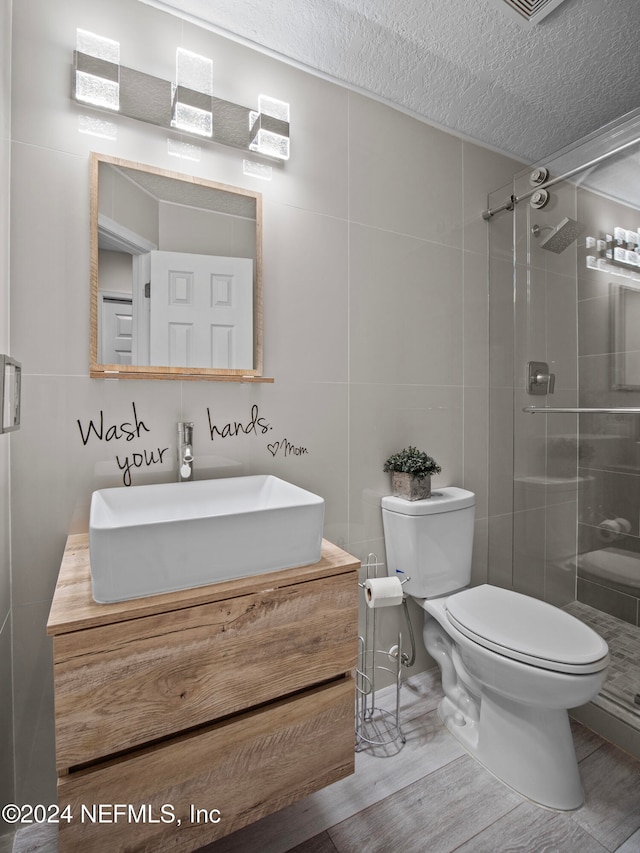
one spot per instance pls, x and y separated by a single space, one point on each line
176 275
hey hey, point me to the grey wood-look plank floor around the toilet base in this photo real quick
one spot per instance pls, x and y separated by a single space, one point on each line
431 797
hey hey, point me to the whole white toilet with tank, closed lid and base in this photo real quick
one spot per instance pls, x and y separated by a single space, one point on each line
511 665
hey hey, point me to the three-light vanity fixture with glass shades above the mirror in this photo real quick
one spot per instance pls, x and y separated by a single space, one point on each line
187 105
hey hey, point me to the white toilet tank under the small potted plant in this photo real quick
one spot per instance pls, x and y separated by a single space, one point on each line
430 541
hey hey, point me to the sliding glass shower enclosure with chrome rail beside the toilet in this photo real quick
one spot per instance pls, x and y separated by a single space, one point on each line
568 477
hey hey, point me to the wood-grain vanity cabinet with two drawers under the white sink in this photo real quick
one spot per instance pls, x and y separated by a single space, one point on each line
182 717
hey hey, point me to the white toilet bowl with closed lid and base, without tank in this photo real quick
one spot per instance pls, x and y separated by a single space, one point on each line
507 705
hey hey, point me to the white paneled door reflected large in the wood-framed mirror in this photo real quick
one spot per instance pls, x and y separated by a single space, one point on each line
201 310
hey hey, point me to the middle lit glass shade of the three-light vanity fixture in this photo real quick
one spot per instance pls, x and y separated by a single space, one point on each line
192 93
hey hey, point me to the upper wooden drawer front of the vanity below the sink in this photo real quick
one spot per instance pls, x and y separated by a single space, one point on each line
119 686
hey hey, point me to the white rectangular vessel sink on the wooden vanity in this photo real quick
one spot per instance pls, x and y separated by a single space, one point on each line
145 540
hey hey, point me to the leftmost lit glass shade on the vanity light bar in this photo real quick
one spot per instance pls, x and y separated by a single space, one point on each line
97 77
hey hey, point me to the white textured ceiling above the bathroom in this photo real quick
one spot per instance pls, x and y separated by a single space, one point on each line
466 65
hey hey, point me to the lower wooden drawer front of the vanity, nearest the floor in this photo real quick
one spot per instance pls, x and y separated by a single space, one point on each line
245 768
